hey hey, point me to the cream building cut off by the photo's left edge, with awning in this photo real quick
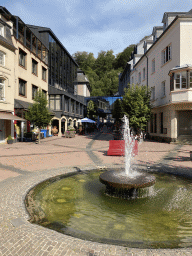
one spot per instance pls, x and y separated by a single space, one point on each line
7 80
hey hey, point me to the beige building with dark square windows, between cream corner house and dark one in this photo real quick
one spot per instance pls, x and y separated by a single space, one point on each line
31 74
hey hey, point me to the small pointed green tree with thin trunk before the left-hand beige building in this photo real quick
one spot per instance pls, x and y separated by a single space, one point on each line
38 113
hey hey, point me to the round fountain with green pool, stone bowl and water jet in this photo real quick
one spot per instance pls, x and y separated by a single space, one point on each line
160 216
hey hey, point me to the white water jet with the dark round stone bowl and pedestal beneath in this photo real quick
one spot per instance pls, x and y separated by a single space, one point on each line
126 182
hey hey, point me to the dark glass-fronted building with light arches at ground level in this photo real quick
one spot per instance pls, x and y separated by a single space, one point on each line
67 106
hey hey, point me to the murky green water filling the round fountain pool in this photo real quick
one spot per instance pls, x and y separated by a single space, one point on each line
78 206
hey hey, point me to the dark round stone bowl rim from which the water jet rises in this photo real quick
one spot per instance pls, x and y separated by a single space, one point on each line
119 180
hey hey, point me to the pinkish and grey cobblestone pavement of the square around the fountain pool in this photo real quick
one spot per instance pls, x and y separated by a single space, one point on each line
23 165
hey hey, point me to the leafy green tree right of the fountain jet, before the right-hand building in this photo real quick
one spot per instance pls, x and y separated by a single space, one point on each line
136 104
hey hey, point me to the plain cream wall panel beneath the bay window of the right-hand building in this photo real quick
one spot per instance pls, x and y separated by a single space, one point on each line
181 95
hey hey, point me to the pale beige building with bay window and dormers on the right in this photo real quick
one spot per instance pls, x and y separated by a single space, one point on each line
165 66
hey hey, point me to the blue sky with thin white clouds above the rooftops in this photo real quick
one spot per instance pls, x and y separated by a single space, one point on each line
96 25
